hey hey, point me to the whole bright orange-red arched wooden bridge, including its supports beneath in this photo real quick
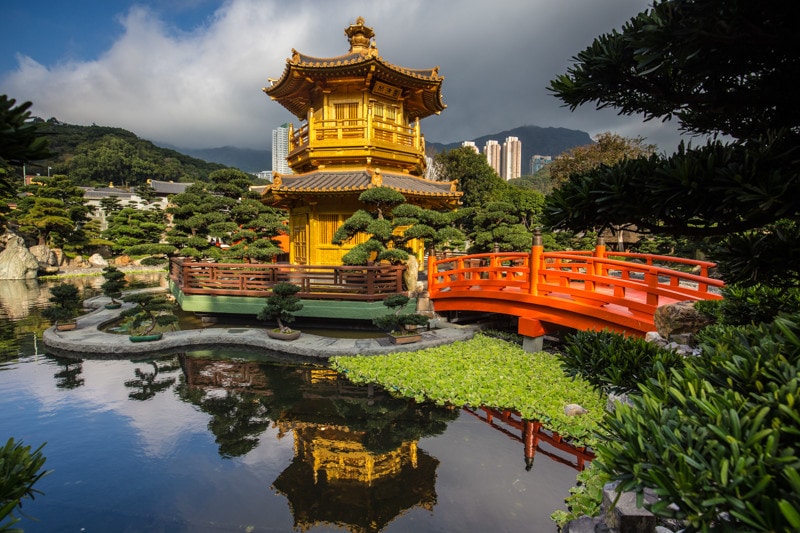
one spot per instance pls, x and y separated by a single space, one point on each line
580 289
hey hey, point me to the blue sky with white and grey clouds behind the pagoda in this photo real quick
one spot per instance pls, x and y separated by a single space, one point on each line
190 72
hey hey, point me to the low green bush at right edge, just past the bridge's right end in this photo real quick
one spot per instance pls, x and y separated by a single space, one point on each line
743 305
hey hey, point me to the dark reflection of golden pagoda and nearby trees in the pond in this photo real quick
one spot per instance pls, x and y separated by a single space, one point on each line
356 462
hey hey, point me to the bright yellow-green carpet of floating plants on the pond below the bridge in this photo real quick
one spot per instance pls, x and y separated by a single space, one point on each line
486 372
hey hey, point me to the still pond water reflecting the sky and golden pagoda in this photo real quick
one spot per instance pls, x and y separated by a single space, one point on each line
229 440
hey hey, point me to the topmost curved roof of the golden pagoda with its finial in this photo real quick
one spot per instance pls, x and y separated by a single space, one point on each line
420 88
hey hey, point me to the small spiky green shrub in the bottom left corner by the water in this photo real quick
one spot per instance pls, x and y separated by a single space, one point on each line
20 469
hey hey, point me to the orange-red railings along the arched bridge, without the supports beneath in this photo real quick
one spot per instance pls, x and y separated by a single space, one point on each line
640 282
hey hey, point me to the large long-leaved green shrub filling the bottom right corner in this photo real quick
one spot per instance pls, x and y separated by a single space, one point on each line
718 437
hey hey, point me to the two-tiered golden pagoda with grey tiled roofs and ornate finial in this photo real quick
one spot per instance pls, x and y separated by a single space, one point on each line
359 129
